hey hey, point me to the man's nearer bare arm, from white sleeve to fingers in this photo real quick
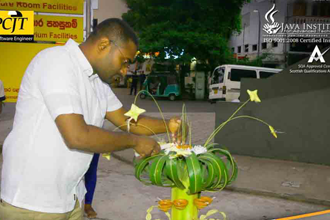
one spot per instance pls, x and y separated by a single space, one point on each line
78 135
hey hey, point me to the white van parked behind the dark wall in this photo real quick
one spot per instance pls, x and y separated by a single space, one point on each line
225 81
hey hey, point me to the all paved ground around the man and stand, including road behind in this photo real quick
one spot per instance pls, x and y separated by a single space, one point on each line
265 189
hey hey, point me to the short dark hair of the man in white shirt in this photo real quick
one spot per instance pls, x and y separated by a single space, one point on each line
116 30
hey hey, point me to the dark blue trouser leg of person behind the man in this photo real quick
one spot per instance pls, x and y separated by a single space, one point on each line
91 178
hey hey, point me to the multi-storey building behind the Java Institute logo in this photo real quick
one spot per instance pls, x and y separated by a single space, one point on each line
296 23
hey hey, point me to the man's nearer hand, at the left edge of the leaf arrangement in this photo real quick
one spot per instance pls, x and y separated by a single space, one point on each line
146 146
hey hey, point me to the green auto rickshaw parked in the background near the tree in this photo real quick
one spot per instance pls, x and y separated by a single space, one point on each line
161 85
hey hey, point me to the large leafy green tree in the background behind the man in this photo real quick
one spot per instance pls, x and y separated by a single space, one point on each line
183 29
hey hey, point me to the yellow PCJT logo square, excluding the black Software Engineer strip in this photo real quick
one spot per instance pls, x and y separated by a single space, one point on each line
16 23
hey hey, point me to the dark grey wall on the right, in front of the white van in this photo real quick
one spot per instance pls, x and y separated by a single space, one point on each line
298 105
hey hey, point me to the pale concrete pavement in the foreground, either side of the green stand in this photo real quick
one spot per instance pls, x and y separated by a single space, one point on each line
120 196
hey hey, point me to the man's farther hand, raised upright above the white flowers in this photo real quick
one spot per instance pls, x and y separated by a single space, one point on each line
175 127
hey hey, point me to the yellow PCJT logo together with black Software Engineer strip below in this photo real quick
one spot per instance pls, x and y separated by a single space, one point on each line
16 26
